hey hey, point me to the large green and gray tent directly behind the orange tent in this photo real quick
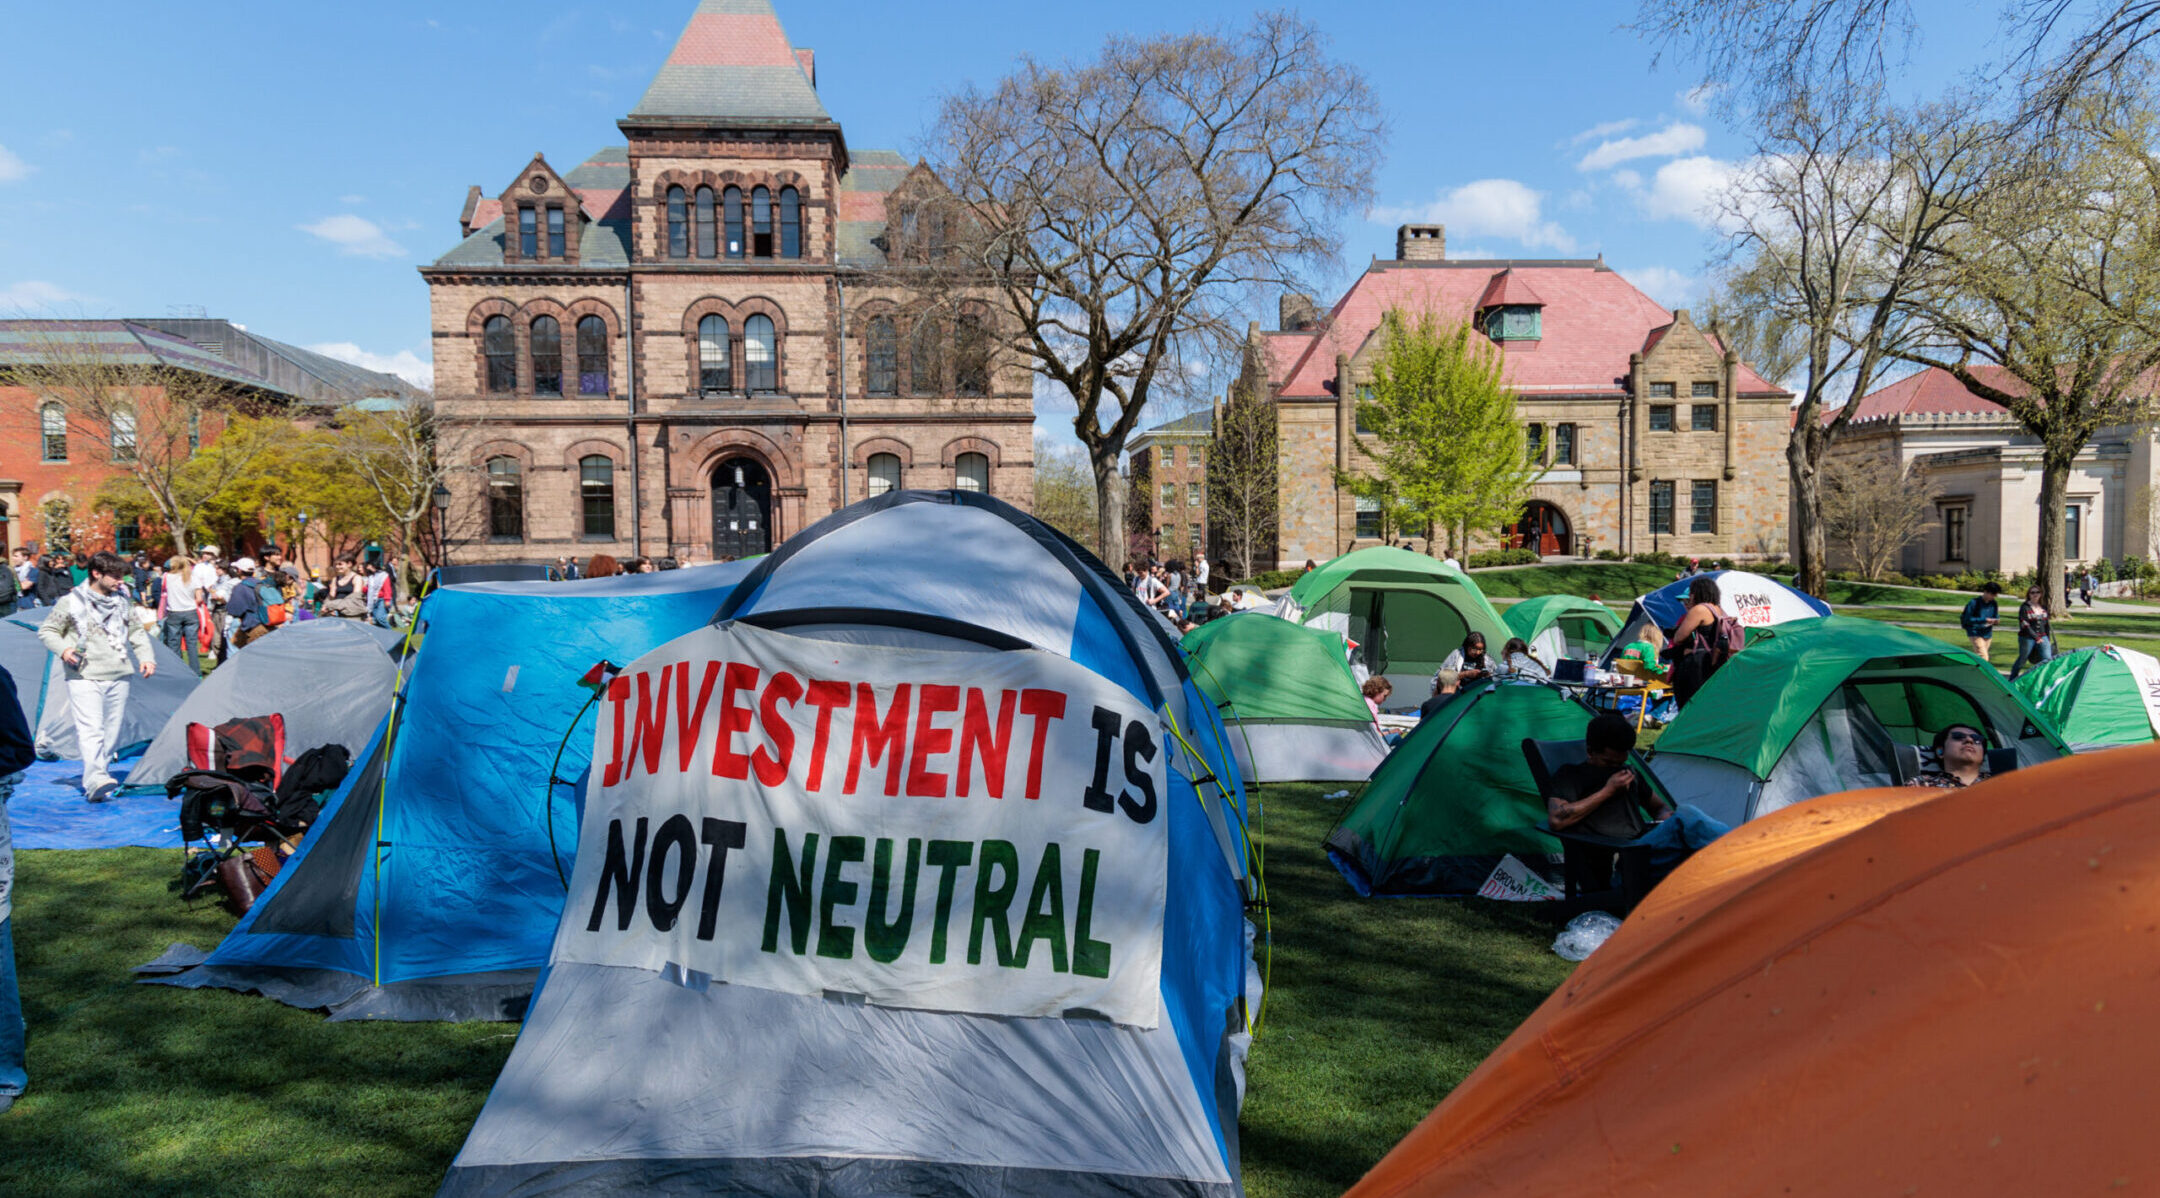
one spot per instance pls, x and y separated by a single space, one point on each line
1818 707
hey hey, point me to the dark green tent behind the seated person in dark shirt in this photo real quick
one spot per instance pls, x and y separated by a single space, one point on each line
1457 795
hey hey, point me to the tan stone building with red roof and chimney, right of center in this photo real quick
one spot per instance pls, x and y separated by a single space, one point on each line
1653 435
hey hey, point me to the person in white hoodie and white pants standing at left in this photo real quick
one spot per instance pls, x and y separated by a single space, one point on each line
94 631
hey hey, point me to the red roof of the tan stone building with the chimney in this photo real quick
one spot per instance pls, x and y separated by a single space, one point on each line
1593 321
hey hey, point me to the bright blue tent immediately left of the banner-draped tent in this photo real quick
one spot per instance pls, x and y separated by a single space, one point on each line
429 888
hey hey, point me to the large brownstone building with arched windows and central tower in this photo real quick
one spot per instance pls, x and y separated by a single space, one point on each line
703 340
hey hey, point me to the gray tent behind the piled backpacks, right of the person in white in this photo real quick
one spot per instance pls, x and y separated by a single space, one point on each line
329 679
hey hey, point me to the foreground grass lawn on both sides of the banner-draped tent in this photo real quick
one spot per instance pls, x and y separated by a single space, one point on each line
1377 1009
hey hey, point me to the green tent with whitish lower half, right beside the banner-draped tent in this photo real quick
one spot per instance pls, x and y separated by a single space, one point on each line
1288 698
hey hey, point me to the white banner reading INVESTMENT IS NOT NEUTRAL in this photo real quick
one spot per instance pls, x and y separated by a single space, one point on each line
926 828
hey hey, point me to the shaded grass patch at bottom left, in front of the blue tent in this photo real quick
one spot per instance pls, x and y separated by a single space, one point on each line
163 1091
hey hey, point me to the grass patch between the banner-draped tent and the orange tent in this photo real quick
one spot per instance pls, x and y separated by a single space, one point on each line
1377 1007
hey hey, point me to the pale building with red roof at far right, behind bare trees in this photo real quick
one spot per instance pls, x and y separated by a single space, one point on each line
1982 472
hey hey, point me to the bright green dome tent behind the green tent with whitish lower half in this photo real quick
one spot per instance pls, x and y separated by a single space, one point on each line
1405 610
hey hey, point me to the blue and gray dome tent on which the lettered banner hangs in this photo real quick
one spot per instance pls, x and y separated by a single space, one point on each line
632 1080
